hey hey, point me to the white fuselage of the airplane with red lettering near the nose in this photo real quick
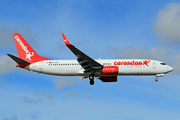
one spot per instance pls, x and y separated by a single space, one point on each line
125 67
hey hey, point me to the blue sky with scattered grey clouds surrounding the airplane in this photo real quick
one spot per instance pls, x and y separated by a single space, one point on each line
101 29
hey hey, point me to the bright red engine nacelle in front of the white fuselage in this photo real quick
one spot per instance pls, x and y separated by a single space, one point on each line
110 70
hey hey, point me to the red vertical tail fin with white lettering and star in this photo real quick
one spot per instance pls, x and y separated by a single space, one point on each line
25 51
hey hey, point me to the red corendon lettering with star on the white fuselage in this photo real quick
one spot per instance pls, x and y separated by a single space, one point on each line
132 63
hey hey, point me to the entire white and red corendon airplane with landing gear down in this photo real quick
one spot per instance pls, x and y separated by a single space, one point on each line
84 66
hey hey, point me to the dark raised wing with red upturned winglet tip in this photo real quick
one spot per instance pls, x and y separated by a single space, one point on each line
85 61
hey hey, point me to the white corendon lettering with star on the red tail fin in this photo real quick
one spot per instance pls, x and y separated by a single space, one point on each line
28 54
